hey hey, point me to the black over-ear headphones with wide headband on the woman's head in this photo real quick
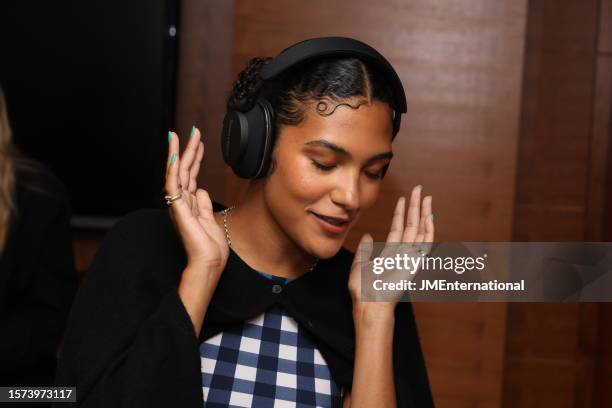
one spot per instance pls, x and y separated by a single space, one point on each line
247 138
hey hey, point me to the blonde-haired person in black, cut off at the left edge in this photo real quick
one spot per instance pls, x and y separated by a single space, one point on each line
37 276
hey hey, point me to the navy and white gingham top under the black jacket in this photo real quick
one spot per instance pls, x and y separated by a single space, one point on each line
269 362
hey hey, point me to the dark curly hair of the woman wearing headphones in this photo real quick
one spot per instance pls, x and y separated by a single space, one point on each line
327 81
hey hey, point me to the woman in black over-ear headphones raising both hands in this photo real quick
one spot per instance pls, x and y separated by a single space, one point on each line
258 305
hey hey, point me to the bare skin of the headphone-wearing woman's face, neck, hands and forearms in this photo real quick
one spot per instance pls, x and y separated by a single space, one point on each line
280 207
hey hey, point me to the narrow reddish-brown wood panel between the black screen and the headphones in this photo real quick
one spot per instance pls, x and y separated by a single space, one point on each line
205 52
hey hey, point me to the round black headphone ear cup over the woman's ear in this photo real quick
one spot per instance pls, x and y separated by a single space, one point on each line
246 139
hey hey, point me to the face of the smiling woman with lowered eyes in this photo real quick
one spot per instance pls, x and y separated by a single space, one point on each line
328 166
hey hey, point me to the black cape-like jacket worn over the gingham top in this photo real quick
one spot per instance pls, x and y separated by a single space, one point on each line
130 342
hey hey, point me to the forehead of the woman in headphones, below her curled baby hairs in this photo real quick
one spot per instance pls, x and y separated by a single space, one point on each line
368 126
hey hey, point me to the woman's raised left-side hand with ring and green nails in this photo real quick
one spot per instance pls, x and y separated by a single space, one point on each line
192 214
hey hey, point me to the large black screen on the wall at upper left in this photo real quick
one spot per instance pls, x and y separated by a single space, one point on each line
90 86
